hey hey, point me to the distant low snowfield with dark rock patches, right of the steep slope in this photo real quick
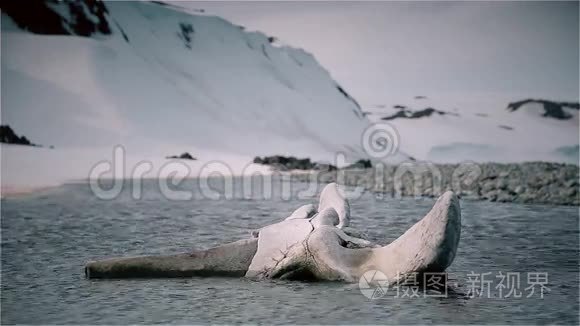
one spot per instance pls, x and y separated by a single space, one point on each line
493 128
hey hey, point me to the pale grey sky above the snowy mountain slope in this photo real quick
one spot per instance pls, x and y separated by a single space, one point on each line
381 49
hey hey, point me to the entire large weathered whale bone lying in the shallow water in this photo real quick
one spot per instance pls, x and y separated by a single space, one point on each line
310 245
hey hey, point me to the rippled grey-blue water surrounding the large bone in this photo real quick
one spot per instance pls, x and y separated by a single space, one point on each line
47 237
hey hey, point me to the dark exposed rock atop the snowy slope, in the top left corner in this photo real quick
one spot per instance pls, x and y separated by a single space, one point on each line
83 18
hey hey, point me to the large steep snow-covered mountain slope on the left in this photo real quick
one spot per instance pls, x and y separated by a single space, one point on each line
160 81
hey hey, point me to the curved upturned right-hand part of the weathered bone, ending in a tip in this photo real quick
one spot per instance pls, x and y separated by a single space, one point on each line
428 246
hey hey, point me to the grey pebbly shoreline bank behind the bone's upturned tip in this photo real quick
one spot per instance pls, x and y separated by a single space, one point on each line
533 182
